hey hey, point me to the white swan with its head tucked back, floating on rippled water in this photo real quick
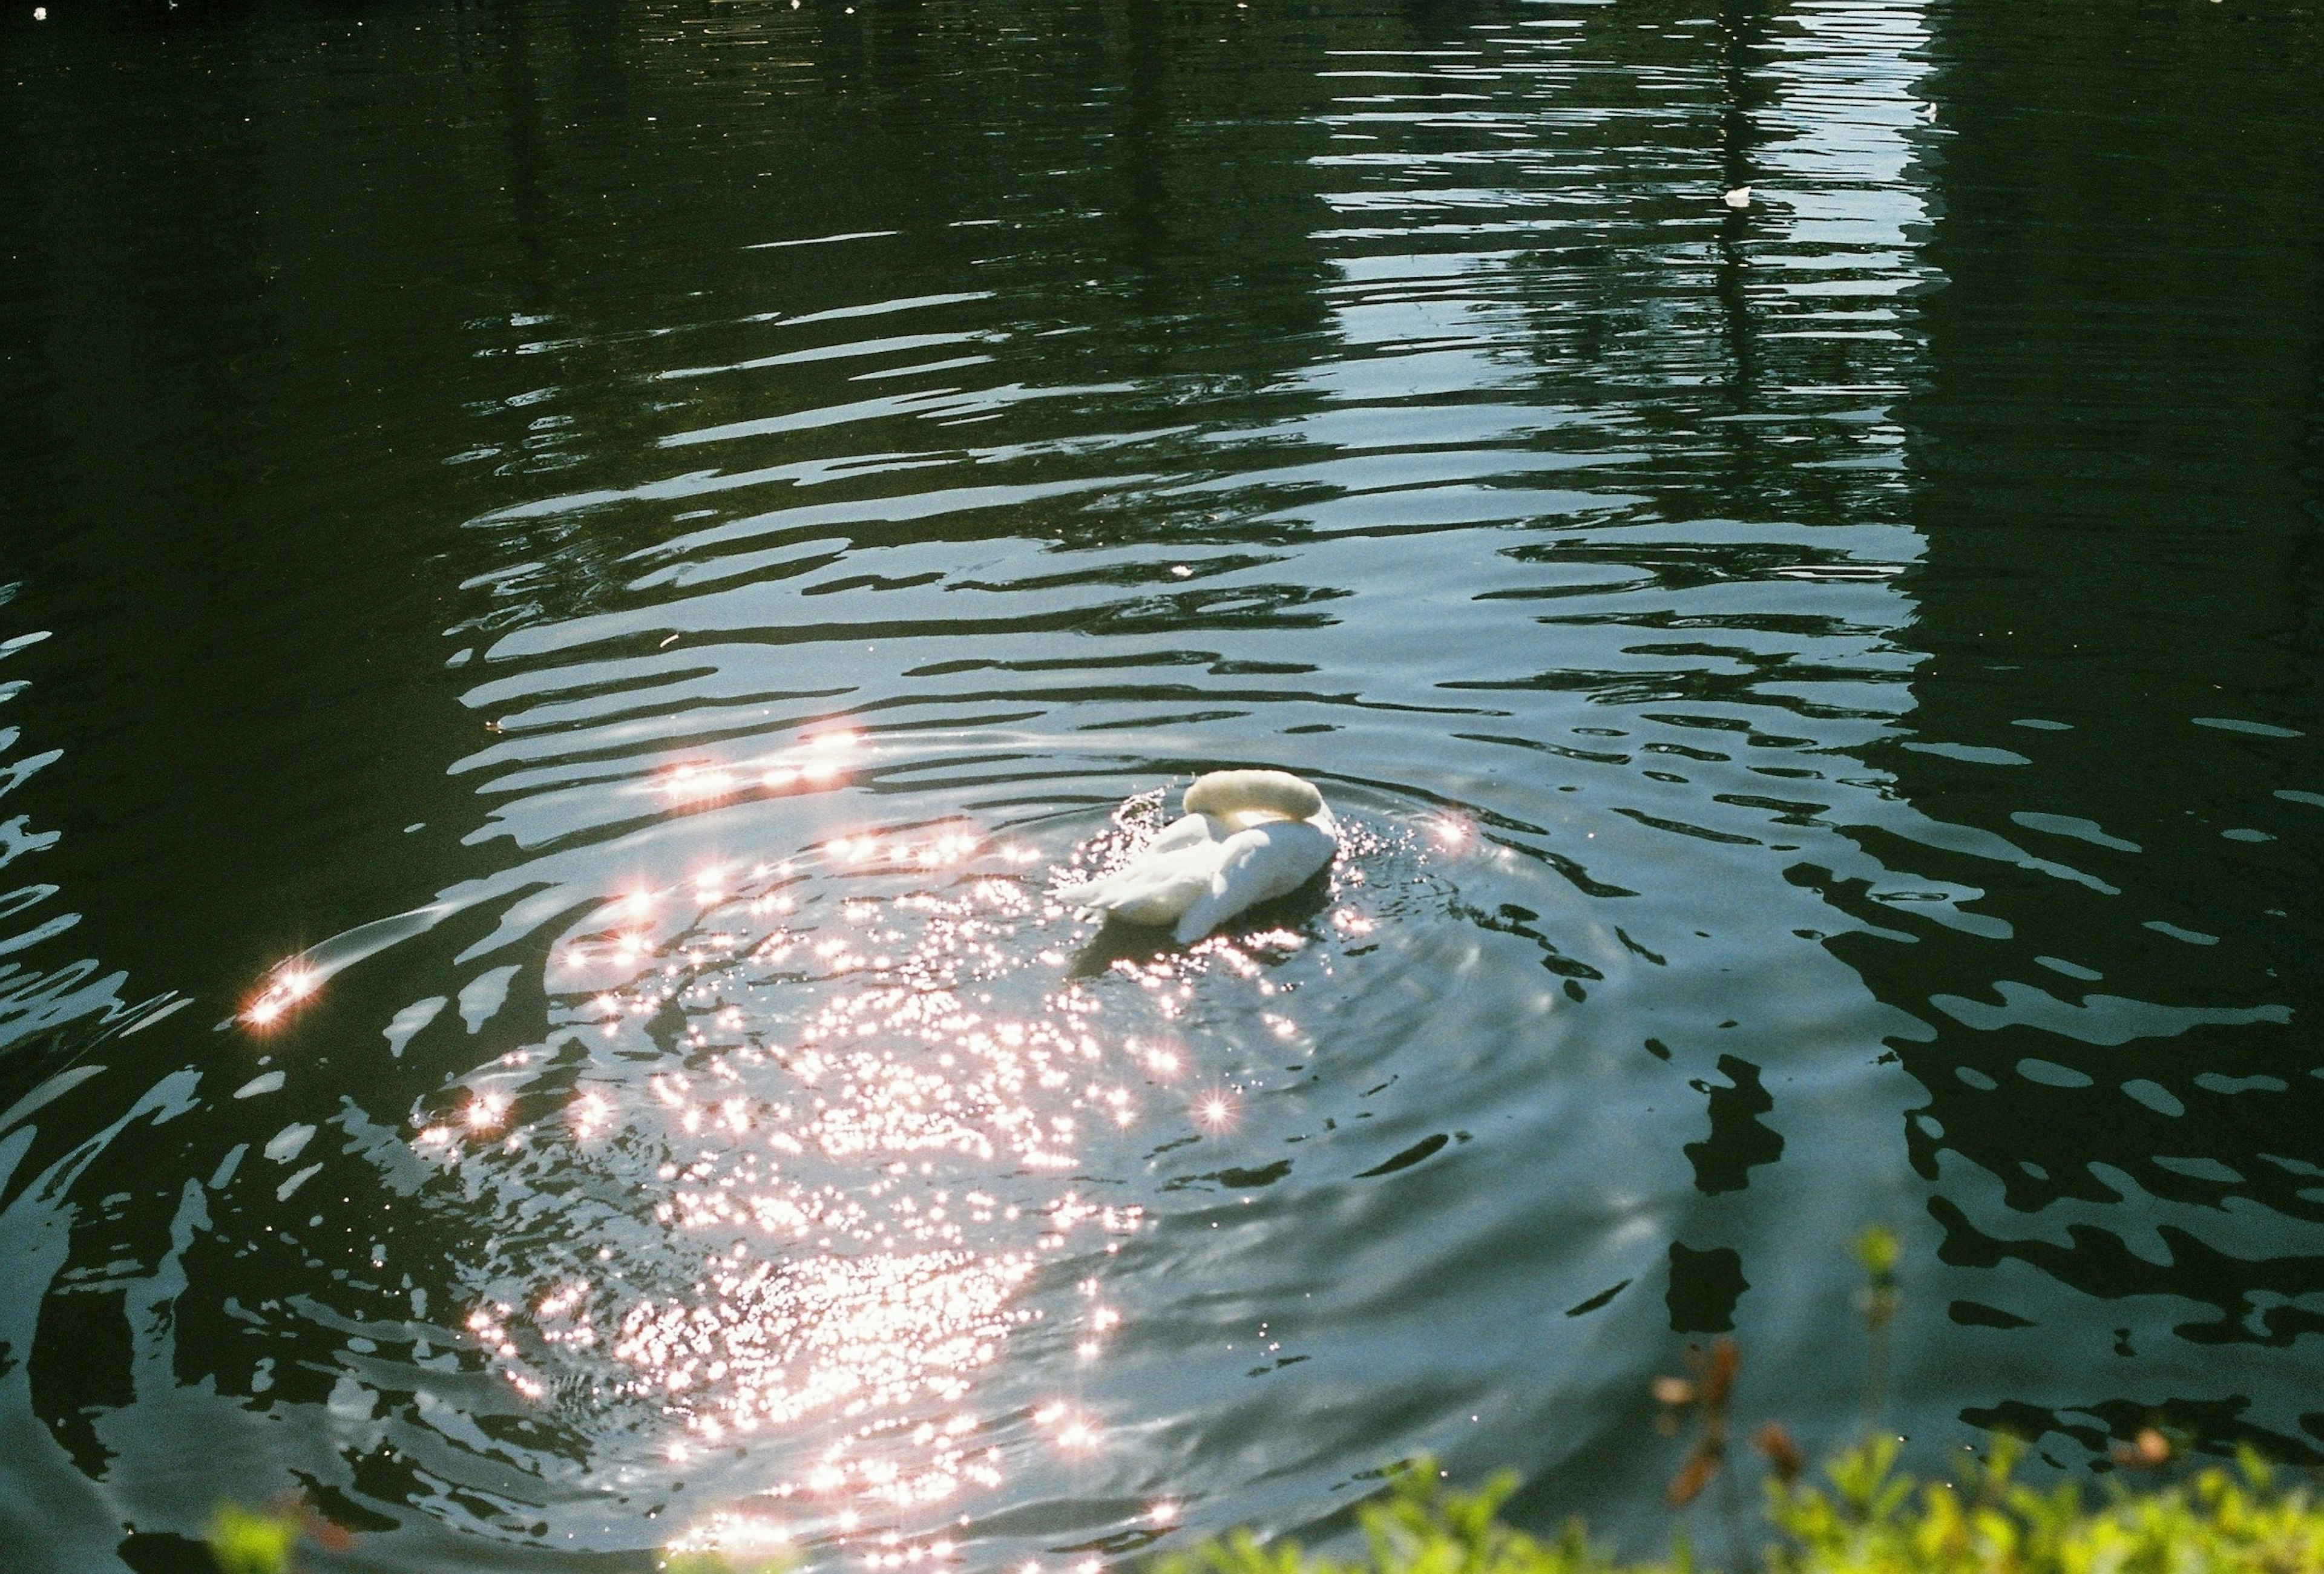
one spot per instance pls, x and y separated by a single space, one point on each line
1249 836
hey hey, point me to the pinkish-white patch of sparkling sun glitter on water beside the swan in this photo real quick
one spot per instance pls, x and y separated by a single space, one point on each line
840 1117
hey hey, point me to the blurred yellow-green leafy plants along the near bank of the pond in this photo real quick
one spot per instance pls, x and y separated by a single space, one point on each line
1863 1517
